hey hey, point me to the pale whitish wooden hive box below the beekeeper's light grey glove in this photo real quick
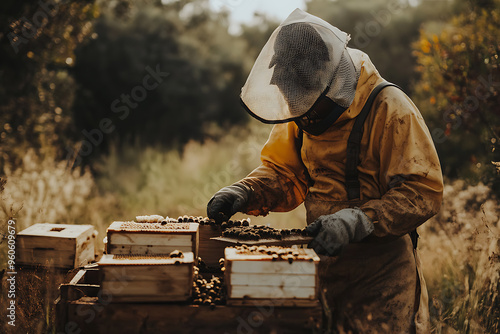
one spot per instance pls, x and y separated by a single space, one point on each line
252 273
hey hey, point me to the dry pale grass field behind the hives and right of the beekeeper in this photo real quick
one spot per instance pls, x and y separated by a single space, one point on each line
460 247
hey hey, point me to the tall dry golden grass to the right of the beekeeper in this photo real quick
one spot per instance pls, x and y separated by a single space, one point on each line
460 250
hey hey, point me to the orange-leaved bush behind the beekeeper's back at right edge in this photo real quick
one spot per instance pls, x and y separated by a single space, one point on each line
458 92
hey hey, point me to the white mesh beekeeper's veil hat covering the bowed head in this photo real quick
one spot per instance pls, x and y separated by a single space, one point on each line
305 58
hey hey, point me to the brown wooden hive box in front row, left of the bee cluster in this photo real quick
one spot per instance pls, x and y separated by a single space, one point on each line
130 278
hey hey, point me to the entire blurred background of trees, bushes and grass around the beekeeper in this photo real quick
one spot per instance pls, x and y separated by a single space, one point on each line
84 140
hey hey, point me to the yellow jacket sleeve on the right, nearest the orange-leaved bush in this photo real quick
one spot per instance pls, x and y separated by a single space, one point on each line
410 172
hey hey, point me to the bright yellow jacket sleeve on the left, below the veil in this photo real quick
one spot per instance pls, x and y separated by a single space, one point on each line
279 184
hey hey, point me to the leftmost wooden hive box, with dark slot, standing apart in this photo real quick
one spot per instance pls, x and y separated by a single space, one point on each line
56 245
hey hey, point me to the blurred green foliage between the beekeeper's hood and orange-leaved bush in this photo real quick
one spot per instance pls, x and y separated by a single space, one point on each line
383 29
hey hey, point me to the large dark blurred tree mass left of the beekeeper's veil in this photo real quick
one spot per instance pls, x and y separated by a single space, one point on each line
184 39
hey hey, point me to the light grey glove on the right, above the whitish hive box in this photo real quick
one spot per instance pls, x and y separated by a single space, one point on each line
332 232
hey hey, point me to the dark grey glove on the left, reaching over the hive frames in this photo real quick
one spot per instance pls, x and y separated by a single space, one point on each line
227 201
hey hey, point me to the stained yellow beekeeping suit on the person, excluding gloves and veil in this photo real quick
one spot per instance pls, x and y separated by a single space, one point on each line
401 187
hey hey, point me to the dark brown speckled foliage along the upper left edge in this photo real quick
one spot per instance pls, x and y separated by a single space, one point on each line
36 50
